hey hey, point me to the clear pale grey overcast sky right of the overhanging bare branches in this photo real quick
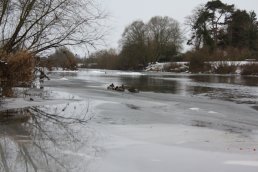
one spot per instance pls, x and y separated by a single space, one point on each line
123 12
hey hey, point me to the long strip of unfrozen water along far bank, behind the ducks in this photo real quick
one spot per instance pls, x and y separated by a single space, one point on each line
239 89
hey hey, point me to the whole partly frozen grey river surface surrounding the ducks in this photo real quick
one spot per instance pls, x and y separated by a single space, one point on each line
178 122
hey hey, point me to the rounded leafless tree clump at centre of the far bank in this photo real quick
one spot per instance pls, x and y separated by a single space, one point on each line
158 40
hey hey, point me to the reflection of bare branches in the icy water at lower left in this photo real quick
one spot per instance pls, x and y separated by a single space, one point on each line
42 140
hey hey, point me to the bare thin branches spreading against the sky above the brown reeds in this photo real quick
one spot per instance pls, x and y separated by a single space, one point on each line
37 25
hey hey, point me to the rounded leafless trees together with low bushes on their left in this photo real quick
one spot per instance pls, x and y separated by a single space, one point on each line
160 39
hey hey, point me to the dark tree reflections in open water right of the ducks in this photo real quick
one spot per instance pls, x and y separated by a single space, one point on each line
240 89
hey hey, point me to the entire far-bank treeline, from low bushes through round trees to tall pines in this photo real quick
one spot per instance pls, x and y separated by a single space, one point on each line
219 31
